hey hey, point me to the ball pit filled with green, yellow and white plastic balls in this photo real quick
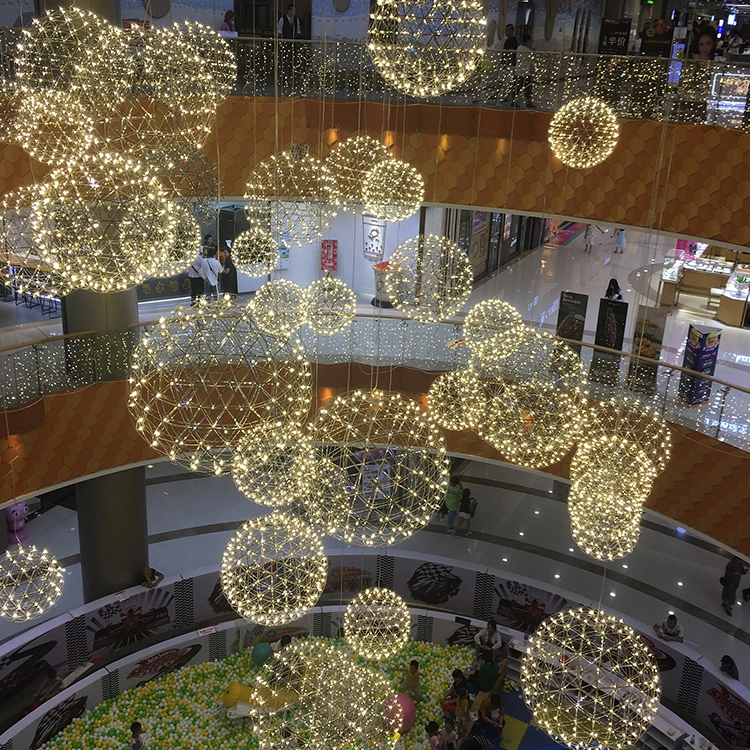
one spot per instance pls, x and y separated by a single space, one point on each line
183 710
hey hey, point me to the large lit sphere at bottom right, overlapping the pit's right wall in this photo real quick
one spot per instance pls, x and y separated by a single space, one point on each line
590 680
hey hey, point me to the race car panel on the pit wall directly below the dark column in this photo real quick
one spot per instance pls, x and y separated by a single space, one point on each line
118 624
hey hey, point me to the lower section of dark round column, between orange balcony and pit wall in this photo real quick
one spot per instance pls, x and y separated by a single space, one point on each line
112 531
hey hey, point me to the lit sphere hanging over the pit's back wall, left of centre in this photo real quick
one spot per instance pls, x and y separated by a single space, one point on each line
274 569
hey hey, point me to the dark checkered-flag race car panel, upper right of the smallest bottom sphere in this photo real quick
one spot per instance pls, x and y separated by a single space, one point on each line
435 585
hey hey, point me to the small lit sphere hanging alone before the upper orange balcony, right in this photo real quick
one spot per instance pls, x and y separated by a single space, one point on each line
583 133
